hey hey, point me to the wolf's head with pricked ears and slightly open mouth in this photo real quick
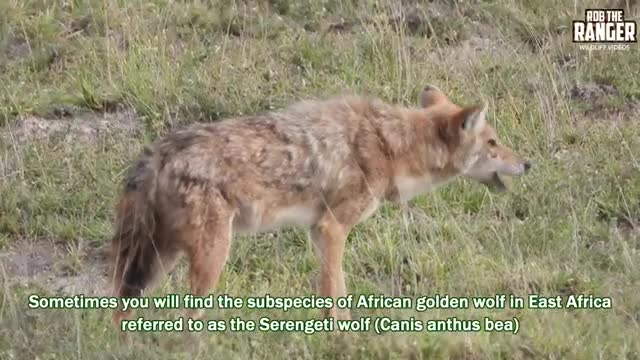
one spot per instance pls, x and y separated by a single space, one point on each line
478 153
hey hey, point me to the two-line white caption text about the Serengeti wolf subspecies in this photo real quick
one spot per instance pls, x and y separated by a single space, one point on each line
274 314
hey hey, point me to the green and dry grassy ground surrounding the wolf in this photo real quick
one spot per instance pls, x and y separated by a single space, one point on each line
570 227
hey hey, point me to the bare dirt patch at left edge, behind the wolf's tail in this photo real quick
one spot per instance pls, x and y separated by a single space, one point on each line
42 263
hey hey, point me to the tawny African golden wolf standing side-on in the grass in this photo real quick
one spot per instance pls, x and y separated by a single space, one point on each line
325 165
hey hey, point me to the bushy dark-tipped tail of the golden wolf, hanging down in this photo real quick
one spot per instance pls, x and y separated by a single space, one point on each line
135 246
